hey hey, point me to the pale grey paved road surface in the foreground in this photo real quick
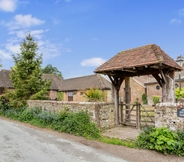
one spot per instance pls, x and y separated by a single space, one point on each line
19 143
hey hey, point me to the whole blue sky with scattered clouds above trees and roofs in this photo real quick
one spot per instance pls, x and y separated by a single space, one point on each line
77 36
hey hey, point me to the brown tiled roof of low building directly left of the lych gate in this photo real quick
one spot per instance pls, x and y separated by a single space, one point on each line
85 82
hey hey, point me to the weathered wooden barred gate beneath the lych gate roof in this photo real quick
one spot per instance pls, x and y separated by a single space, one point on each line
136 115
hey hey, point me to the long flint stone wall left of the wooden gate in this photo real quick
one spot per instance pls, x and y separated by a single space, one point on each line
101 113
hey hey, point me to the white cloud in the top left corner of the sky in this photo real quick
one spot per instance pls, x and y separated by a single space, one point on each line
8 5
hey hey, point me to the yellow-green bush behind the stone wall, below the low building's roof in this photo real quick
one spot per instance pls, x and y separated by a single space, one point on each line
94 94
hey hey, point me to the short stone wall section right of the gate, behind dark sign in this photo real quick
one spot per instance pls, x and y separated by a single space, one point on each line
166 115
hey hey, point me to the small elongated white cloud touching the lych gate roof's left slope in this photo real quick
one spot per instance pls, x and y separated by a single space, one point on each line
93 62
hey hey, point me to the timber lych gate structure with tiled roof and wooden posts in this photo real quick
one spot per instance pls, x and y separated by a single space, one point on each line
145 60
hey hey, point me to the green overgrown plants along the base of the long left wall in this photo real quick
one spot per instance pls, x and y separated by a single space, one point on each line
65 121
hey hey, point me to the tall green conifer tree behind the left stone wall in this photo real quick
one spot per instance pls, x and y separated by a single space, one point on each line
26 75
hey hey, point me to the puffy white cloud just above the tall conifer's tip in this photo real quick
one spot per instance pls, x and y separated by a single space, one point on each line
23 21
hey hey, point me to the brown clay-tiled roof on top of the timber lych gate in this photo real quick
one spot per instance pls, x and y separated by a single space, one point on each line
137 57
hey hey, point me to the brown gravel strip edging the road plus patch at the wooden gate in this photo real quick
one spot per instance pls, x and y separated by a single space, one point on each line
129 154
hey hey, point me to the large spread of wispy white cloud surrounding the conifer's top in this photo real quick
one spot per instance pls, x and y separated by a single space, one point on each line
19 27
